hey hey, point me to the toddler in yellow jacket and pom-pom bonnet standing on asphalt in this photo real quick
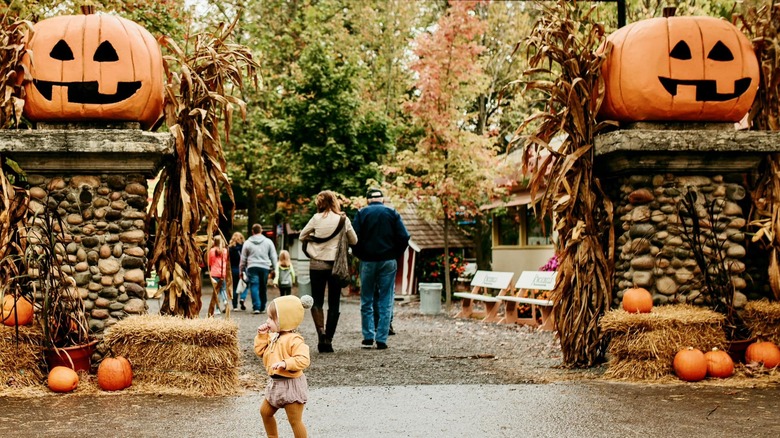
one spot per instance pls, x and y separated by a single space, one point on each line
285 356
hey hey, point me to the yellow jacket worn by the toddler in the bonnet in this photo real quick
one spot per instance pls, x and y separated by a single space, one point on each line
288 347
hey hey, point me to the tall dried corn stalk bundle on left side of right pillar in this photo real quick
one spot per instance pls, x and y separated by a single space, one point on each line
566 69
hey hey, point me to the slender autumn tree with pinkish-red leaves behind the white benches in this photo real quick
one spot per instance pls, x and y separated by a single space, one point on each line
449 171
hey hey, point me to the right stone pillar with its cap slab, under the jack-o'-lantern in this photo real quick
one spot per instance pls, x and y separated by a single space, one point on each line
647 169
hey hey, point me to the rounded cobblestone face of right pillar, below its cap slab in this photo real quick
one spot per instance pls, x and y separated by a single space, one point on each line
651 249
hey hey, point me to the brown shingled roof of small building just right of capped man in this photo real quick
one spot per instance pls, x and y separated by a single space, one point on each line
426 234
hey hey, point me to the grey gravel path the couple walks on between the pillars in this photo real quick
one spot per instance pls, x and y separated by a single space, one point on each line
426 350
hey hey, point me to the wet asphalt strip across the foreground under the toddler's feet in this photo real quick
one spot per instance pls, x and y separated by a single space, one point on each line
570 409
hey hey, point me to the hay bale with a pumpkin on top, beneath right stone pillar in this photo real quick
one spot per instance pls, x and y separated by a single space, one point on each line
642 345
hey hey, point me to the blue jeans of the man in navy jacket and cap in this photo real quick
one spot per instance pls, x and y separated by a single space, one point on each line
377 276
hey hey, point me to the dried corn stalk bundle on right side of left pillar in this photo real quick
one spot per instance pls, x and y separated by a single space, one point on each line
198 98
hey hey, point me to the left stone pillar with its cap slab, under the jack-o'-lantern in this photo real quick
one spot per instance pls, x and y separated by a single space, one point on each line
96 179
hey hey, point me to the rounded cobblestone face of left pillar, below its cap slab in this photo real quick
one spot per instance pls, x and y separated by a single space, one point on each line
104 239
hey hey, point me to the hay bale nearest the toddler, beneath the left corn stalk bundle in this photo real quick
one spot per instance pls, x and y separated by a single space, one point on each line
194 355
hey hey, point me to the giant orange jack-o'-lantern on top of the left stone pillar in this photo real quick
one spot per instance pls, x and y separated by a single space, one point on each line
93 67
